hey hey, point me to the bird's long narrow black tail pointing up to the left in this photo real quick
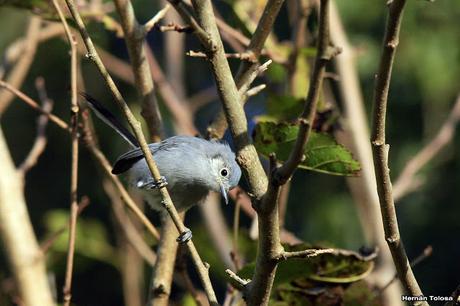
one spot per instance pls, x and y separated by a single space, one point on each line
108 118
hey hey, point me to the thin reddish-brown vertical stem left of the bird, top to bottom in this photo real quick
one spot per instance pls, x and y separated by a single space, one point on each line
74 110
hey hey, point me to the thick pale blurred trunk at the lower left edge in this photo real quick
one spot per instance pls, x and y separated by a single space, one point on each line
21 248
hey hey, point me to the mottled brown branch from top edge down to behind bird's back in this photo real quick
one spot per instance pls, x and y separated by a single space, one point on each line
134 37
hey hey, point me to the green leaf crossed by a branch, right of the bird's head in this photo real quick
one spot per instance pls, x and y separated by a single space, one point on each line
322 153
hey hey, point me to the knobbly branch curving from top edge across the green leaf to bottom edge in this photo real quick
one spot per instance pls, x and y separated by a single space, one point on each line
270 249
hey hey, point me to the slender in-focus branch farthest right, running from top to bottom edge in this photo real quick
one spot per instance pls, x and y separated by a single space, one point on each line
380 150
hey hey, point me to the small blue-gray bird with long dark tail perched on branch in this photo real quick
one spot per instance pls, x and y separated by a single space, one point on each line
191 166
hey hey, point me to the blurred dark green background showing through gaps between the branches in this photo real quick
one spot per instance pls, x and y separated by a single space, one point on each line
425 84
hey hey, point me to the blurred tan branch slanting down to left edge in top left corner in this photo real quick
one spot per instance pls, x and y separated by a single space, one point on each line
19 72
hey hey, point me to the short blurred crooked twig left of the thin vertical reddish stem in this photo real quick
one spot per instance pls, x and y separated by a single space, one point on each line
40 140
